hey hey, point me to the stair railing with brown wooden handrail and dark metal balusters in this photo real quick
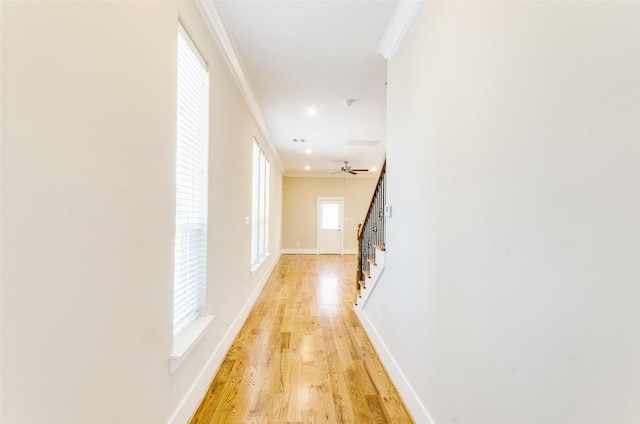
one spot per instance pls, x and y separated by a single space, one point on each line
371 232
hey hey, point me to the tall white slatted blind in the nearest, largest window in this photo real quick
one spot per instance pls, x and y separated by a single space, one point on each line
191 186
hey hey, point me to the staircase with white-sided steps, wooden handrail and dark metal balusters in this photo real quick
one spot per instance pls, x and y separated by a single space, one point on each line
371 243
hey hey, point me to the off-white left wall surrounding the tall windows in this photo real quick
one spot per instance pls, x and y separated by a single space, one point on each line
87 172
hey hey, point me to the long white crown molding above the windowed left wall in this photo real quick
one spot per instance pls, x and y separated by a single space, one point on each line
215 25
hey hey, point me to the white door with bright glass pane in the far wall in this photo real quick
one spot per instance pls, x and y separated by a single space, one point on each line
330 225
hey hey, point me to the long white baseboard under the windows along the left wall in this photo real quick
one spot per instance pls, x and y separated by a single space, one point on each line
196 392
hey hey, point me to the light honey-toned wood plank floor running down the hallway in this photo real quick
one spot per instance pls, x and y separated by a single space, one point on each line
302 355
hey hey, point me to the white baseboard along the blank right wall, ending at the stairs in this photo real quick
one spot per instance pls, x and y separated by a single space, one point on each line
414 404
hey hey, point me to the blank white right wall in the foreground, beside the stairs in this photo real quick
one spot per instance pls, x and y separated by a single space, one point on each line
513 256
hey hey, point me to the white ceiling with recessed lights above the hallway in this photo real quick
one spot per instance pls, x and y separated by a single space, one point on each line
321 55
